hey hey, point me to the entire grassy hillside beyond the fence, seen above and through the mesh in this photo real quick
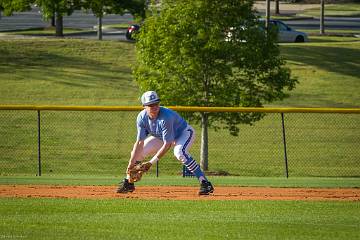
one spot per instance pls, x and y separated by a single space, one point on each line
88 72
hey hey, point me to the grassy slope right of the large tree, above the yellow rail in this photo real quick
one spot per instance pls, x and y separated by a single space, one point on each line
326 71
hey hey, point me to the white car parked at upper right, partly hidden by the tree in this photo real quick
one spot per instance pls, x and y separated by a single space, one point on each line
286 33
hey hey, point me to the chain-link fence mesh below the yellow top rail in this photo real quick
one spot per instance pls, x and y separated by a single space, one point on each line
64 142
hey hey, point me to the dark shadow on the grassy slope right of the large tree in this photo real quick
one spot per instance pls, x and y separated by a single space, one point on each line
333 59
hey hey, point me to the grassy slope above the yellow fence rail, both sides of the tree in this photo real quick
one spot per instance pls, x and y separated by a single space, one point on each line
90 72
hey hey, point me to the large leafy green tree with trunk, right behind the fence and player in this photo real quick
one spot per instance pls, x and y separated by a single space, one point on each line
210 53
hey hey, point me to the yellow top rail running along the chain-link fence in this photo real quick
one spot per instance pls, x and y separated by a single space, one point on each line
180 108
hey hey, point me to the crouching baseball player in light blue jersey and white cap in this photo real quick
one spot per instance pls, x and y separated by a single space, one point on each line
158 129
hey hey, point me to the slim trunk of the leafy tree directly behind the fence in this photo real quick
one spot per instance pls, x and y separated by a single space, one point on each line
204 161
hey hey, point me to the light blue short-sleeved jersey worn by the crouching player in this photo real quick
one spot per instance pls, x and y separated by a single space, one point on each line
168 125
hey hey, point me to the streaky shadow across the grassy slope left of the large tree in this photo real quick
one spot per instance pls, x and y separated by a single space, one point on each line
78 64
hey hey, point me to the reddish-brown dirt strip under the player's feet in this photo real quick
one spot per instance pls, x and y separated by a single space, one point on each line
180 193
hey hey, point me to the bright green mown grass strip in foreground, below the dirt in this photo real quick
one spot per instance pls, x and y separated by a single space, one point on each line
140 219
